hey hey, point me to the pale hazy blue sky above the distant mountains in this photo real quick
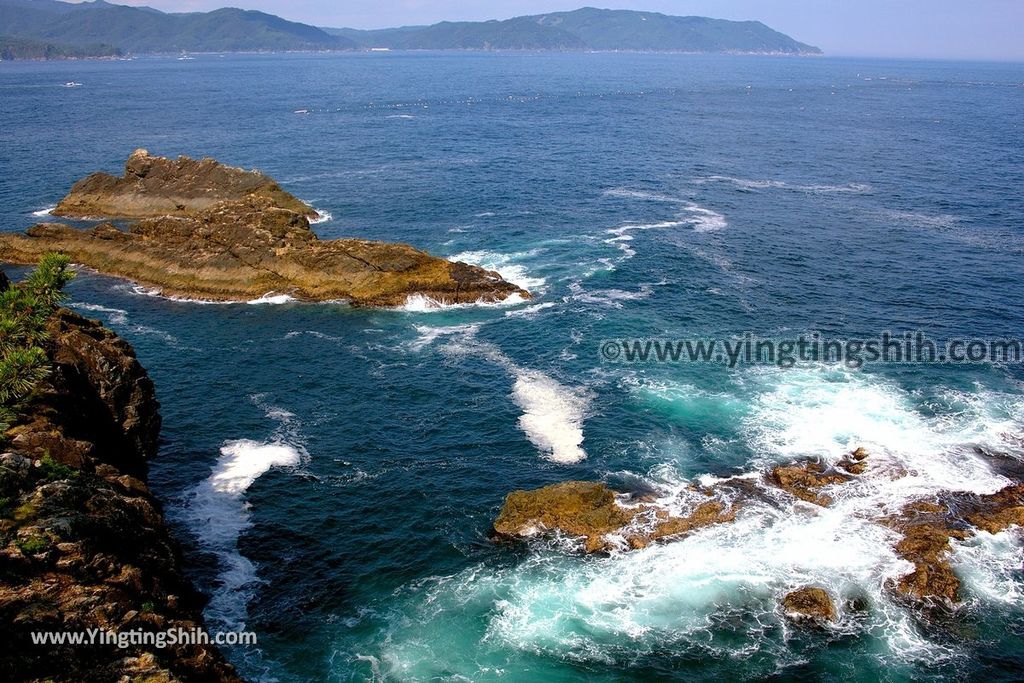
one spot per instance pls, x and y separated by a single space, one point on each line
969 29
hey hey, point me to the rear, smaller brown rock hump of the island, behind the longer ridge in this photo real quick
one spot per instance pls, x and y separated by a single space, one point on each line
155 187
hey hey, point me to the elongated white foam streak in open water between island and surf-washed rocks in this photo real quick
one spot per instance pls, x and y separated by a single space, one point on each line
553 414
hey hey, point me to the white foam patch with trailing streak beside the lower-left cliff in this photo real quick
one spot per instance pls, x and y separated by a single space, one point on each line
219 513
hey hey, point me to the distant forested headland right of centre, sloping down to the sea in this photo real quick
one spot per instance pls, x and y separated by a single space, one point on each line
588 29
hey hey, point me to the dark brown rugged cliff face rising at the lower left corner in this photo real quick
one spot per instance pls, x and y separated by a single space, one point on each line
83 543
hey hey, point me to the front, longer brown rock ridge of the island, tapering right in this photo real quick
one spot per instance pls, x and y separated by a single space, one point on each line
244 250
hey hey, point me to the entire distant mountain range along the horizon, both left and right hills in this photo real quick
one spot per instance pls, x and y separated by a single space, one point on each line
78 29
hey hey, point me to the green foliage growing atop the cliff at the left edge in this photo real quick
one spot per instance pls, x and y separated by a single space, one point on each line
25 311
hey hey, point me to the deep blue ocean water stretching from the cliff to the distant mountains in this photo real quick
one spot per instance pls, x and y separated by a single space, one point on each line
334 474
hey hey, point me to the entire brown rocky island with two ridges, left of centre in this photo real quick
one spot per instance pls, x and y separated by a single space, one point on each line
204 231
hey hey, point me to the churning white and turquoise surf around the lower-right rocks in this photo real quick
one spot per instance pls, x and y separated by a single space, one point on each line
675 596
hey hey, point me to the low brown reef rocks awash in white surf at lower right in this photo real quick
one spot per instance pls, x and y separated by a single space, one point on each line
927 529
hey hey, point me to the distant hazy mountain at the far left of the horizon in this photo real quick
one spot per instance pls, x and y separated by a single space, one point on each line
148 30
